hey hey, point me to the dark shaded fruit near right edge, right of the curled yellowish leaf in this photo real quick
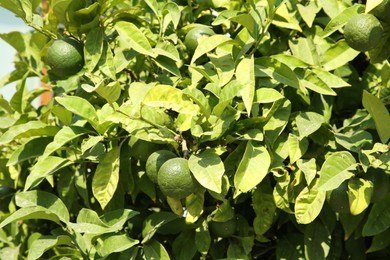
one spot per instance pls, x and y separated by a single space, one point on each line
381 184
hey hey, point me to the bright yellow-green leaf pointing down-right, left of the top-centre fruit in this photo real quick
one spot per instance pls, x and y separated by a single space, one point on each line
130 36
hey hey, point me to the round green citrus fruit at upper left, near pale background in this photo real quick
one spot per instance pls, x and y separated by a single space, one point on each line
65 57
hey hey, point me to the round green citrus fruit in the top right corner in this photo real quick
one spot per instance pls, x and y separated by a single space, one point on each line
363 32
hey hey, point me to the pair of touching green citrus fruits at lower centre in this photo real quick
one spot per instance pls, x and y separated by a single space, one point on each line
171 173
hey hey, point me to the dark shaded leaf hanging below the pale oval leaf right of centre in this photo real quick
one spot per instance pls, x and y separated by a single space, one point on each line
265 209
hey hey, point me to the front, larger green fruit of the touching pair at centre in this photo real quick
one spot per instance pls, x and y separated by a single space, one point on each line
175 179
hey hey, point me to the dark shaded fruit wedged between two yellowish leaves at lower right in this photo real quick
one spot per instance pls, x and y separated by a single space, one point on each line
338 198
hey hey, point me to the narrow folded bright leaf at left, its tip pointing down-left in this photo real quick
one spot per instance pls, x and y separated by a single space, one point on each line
43 169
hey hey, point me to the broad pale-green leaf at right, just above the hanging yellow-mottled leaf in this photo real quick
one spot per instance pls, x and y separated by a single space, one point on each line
336 169
